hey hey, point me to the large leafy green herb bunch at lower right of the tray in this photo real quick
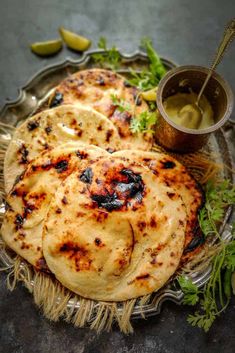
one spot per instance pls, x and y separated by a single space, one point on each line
216 294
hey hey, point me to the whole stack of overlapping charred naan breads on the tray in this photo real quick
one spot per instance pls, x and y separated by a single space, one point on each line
86 199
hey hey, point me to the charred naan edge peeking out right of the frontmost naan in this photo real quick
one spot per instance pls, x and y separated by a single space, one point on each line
170 172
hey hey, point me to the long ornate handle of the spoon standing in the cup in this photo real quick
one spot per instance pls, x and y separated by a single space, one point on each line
227 39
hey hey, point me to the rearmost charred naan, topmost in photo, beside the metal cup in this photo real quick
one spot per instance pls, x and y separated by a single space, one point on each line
95 88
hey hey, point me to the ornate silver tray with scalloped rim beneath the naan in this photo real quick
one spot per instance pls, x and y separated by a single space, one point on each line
34 94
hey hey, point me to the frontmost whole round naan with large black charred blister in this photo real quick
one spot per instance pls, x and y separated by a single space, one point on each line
120 233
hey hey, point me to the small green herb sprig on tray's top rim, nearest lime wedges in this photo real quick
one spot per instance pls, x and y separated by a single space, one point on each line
111 58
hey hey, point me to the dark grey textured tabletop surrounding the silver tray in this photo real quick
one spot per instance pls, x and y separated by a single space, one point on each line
186 32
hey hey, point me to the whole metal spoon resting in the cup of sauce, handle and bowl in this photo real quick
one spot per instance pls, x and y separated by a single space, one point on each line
191 114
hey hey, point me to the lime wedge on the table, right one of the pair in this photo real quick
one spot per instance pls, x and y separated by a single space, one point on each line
73 40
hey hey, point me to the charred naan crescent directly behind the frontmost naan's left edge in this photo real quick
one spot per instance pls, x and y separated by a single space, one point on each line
28 202
